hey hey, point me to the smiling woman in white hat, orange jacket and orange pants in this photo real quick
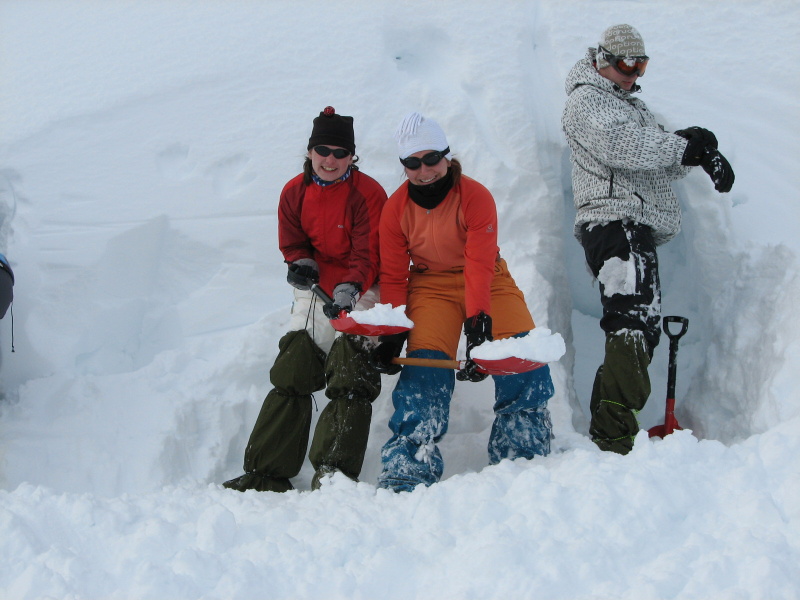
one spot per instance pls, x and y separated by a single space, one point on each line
439 258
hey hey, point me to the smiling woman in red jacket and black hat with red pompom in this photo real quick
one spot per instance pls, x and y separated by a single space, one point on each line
328 220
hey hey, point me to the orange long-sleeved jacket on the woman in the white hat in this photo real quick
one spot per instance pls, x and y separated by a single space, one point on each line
460 234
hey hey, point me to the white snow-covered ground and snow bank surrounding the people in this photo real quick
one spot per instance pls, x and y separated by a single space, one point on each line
143 146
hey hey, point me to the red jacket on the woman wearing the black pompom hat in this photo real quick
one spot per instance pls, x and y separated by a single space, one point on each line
336 225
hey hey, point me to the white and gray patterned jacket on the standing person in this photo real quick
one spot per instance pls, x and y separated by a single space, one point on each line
622 159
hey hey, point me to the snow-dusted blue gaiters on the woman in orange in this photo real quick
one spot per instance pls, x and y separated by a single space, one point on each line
522 427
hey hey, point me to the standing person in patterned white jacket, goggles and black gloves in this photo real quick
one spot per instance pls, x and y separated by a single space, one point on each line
623 163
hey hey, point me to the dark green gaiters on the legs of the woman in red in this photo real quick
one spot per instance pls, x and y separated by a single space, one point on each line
277 446
